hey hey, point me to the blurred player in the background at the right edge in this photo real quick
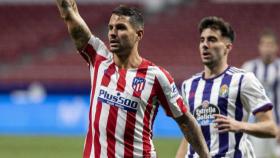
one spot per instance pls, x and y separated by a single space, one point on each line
267 69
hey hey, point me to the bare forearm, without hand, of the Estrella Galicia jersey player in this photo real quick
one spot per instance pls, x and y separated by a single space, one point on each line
266 129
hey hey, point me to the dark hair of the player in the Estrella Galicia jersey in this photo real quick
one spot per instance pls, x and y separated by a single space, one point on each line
217 23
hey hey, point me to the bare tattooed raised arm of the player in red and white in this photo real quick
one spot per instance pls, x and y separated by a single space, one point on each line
77 27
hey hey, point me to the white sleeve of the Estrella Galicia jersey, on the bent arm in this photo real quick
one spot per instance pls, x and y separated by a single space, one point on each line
253 94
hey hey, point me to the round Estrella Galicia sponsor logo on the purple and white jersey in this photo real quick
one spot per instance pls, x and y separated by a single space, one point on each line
204 113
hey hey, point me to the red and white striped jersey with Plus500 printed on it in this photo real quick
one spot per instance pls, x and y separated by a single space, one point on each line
124 103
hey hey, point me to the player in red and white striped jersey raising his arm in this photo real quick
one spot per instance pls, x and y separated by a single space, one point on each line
126 89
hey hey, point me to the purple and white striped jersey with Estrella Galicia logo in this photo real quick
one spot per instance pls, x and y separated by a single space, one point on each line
233 93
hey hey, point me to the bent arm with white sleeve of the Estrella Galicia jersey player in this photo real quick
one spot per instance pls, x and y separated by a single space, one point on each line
254 98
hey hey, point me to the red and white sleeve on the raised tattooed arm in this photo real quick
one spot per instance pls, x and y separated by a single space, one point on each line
95 47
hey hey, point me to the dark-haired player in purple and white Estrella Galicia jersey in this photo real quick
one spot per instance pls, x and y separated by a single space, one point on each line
222 97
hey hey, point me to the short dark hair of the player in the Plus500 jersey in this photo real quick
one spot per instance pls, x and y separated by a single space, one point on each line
136 16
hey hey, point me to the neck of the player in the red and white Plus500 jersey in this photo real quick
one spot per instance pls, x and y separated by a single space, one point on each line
132 60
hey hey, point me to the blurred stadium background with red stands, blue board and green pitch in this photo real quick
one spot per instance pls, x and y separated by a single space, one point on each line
44 83
